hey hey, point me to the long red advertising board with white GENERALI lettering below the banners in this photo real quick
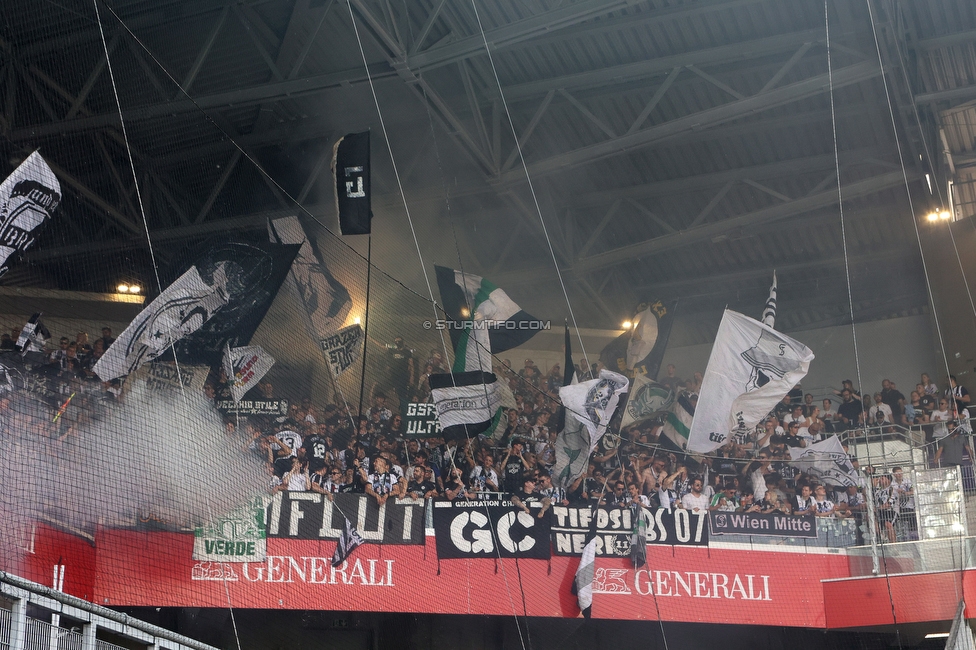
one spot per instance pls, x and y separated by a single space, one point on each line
681 584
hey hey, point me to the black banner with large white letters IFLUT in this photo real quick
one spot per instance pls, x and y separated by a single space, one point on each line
310 515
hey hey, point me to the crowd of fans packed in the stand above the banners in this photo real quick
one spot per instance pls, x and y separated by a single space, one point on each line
329 449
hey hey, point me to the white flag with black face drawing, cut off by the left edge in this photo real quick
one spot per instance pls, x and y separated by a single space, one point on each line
28 197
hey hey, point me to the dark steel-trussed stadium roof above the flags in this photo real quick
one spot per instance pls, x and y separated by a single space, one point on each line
675 148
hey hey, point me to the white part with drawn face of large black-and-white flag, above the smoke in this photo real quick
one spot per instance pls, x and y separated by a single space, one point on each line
181 309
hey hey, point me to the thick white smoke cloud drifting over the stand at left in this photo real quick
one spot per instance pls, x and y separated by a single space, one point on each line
158 457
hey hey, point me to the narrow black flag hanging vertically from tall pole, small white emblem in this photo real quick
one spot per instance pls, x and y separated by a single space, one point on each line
350 165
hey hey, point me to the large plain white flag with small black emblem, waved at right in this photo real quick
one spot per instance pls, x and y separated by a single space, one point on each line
752 366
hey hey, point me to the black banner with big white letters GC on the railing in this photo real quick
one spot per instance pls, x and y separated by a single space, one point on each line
490 529
